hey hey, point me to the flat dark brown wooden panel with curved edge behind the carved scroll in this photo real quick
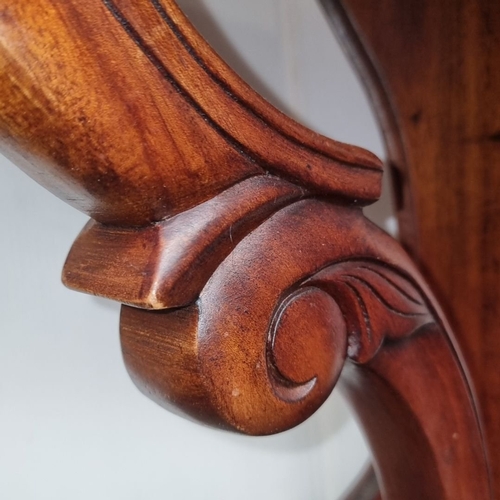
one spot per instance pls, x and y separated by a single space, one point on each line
434 74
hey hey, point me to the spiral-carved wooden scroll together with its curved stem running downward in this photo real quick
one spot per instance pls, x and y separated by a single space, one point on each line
265 343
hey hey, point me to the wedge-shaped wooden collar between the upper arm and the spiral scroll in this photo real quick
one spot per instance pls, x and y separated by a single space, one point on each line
165 264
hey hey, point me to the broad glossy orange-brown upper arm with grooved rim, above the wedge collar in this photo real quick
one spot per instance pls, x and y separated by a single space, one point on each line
157 111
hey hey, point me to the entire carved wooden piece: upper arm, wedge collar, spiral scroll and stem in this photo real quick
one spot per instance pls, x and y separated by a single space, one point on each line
252 281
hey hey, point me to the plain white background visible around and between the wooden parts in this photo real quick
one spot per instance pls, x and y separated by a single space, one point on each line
72 424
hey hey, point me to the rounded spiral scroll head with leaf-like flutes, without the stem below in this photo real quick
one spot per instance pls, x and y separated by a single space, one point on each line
280 314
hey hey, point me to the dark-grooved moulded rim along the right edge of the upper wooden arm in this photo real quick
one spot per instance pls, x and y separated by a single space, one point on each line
320 178
